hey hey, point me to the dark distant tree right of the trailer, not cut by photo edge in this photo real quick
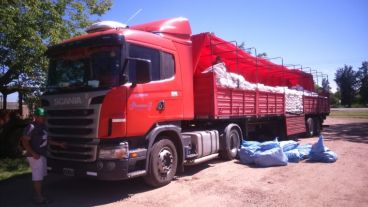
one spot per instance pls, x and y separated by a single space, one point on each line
346 80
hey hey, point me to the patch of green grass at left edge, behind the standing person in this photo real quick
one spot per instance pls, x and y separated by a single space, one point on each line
10 167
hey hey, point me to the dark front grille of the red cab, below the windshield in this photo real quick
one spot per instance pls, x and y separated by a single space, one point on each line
78 129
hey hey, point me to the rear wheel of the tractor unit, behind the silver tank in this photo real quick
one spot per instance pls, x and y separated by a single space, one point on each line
232 144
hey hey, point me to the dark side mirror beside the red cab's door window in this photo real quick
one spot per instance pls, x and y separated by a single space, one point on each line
142 70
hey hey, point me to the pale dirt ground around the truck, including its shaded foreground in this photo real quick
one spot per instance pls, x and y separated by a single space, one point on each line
218 183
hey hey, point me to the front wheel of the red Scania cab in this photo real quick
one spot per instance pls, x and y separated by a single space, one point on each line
162 164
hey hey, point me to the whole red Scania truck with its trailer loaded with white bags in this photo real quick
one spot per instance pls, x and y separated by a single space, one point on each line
147 100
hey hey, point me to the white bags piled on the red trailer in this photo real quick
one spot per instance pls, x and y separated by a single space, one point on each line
293 97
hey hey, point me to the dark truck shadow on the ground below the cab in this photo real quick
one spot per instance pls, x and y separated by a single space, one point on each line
71 191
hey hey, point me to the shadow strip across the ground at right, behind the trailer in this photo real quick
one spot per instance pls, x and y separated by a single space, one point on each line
352 132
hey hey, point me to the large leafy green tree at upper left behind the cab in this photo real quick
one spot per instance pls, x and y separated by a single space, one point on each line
28 27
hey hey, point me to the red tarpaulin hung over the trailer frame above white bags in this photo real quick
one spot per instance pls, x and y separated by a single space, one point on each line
207 48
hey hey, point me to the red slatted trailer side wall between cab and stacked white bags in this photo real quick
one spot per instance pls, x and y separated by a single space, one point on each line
213 101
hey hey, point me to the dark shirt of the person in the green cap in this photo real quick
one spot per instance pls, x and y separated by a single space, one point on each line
38 134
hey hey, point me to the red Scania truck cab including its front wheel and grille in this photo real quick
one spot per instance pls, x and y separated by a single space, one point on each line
114 94
